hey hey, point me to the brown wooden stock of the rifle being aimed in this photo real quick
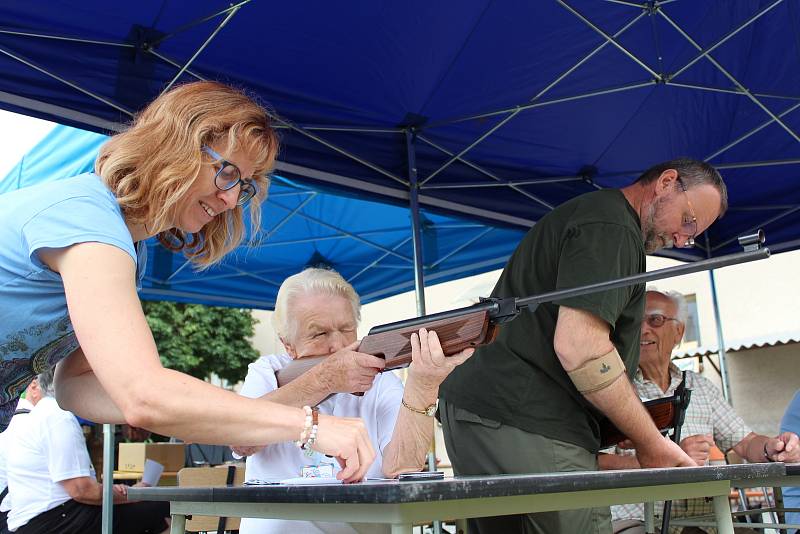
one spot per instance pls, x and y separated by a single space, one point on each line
394 346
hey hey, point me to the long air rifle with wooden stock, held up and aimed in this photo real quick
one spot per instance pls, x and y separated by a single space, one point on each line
478 324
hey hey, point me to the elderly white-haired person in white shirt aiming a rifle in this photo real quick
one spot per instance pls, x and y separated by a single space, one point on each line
317 314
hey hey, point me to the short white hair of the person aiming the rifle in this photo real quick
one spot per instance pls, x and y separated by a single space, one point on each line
311 281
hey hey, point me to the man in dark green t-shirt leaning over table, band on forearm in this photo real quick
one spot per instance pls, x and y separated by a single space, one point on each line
514 406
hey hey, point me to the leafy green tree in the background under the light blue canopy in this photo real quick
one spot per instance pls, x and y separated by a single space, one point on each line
200 340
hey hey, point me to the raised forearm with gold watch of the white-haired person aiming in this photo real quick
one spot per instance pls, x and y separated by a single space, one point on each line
412 434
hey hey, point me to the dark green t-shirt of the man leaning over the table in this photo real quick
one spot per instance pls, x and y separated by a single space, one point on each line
518 380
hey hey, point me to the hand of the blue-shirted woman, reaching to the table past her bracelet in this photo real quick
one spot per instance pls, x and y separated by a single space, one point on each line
346 439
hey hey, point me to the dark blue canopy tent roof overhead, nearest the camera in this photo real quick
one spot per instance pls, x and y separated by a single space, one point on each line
494 110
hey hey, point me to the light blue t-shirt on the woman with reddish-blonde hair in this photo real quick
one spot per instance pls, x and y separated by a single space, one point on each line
35 329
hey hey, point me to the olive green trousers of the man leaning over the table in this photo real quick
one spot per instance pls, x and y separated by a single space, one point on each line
480 446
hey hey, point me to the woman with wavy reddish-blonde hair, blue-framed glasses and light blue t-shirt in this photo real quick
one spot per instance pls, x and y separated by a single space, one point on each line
73 253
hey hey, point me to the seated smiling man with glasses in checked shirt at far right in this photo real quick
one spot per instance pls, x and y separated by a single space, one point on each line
710 420
